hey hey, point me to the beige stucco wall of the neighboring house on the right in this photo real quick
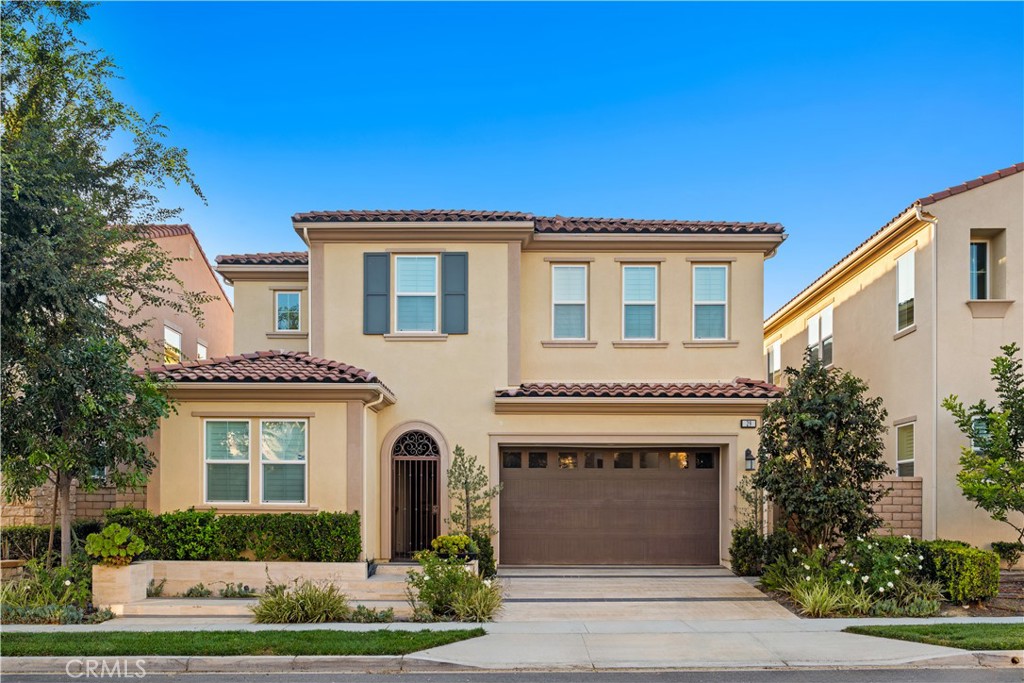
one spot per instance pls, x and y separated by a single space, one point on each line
950 353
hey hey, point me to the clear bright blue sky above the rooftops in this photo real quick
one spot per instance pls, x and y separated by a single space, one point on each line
828 118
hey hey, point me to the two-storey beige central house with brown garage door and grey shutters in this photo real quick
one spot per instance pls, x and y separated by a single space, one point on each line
596 367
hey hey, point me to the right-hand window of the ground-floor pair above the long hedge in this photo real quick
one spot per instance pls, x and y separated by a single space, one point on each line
283 447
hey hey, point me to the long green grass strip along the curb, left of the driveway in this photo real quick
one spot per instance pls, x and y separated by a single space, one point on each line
221 644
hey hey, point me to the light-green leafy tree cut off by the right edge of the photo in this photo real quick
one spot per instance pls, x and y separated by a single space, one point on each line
993 468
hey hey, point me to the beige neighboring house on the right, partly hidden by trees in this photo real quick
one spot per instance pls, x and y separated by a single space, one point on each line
919 312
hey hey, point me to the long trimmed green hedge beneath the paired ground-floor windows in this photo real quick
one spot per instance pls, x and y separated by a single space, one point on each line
193 535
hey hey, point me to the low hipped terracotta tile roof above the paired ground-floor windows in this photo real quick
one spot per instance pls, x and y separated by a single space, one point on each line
266 367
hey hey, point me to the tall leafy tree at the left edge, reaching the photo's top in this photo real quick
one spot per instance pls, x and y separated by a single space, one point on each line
76 269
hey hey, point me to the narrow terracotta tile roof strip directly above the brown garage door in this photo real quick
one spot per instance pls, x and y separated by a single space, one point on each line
739 389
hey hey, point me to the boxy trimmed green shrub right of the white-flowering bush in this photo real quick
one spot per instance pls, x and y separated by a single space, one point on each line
967 575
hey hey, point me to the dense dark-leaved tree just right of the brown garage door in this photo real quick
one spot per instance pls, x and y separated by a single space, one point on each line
822 450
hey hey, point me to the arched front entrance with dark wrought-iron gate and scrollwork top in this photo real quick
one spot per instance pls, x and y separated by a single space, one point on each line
415 461
